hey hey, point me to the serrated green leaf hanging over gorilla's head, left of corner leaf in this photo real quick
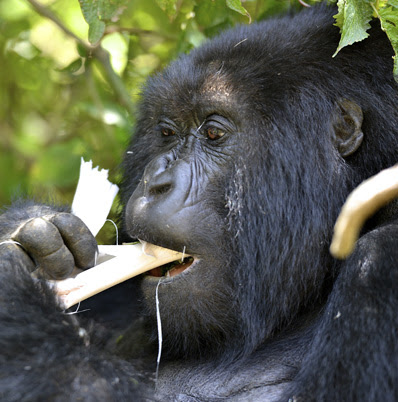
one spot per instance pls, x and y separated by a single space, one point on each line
353 20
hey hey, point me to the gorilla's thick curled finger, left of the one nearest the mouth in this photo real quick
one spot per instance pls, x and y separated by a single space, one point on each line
43 242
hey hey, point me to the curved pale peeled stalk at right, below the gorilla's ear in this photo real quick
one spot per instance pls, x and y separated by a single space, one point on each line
363 202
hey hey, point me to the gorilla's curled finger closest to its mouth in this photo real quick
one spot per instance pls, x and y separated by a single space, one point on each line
77 238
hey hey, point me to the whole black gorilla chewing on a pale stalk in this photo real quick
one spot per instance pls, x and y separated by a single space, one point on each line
243 154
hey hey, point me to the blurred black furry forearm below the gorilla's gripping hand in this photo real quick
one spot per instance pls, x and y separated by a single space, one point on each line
45 354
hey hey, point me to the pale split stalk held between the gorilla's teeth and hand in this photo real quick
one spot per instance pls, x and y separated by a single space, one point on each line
120 263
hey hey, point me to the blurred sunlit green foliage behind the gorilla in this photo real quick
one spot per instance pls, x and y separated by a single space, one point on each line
58 101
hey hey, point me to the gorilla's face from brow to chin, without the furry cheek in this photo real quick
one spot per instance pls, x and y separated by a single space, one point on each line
180 204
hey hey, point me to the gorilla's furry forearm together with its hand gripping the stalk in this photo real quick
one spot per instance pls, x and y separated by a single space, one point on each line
45 353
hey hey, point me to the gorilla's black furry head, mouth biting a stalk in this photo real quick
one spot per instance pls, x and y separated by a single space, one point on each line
243 153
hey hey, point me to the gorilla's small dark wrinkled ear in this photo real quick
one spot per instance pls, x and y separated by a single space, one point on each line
347 124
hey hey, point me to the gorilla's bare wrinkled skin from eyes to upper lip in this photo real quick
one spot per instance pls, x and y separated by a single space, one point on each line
174 201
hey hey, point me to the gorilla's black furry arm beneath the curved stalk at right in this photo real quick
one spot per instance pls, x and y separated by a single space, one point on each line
354 354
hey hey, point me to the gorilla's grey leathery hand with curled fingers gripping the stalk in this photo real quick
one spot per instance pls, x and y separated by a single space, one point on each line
54 244
